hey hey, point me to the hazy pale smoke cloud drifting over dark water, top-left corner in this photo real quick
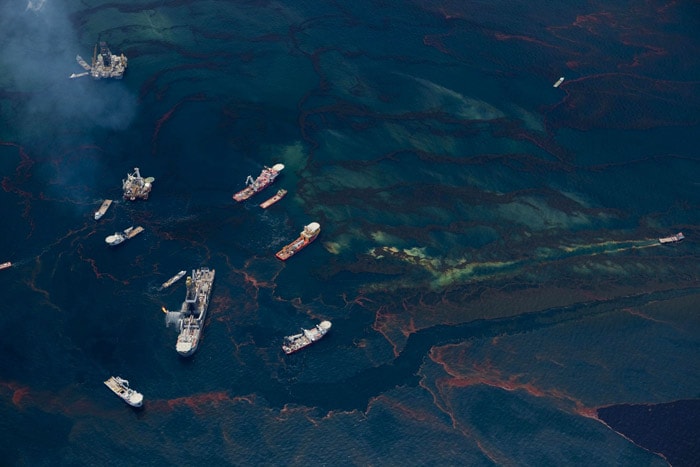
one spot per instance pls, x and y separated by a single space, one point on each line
38 45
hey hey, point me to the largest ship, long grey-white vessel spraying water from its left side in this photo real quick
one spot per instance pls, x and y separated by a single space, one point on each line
190 318
